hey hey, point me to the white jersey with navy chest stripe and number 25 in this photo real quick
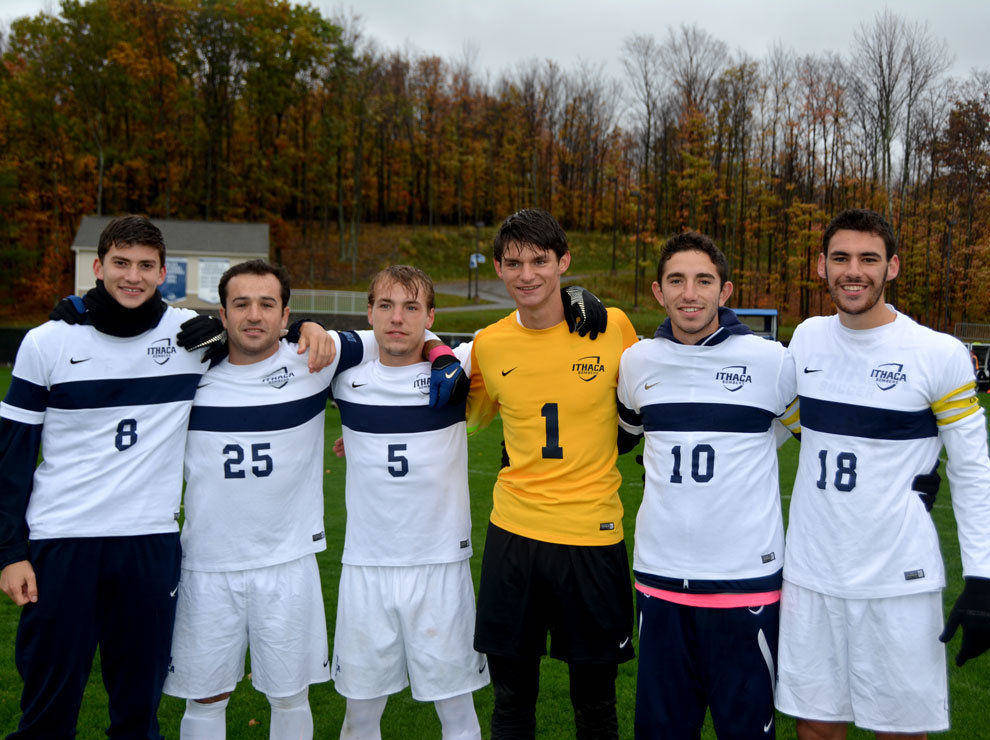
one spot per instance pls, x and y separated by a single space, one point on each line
254 461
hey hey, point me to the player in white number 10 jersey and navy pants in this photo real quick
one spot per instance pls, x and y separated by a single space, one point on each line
709 538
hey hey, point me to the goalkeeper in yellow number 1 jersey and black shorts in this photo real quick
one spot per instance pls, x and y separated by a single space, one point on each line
554 559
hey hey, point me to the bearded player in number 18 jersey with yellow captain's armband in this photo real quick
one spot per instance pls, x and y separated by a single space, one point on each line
861 607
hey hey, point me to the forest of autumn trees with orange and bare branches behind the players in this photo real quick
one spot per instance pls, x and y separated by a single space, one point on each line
265 110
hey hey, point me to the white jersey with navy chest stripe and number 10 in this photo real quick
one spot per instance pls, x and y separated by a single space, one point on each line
711 505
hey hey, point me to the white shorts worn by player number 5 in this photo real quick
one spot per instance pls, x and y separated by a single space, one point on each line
399 621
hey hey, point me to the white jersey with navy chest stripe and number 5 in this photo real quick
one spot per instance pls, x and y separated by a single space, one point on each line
407 491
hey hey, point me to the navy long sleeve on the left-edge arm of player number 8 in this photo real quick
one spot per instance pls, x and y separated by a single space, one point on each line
19 446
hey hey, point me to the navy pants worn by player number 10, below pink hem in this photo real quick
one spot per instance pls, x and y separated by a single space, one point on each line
693 657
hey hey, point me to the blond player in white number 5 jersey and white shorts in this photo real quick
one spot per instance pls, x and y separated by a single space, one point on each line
405 606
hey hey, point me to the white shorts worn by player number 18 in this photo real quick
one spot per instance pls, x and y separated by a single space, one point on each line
875 662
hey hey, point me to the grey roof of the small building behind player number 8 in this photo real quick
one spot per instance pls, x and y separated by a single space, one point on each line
185 237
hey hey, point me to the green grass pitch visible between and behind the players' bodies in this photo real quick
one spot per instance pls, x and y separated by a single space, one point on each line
248 711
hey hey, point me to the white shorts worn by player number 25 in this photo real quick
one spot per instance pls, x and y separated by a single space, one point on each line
278 610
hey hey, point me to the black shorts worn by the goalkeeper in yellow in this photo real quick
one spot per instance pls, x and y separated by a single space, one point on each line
580 594
